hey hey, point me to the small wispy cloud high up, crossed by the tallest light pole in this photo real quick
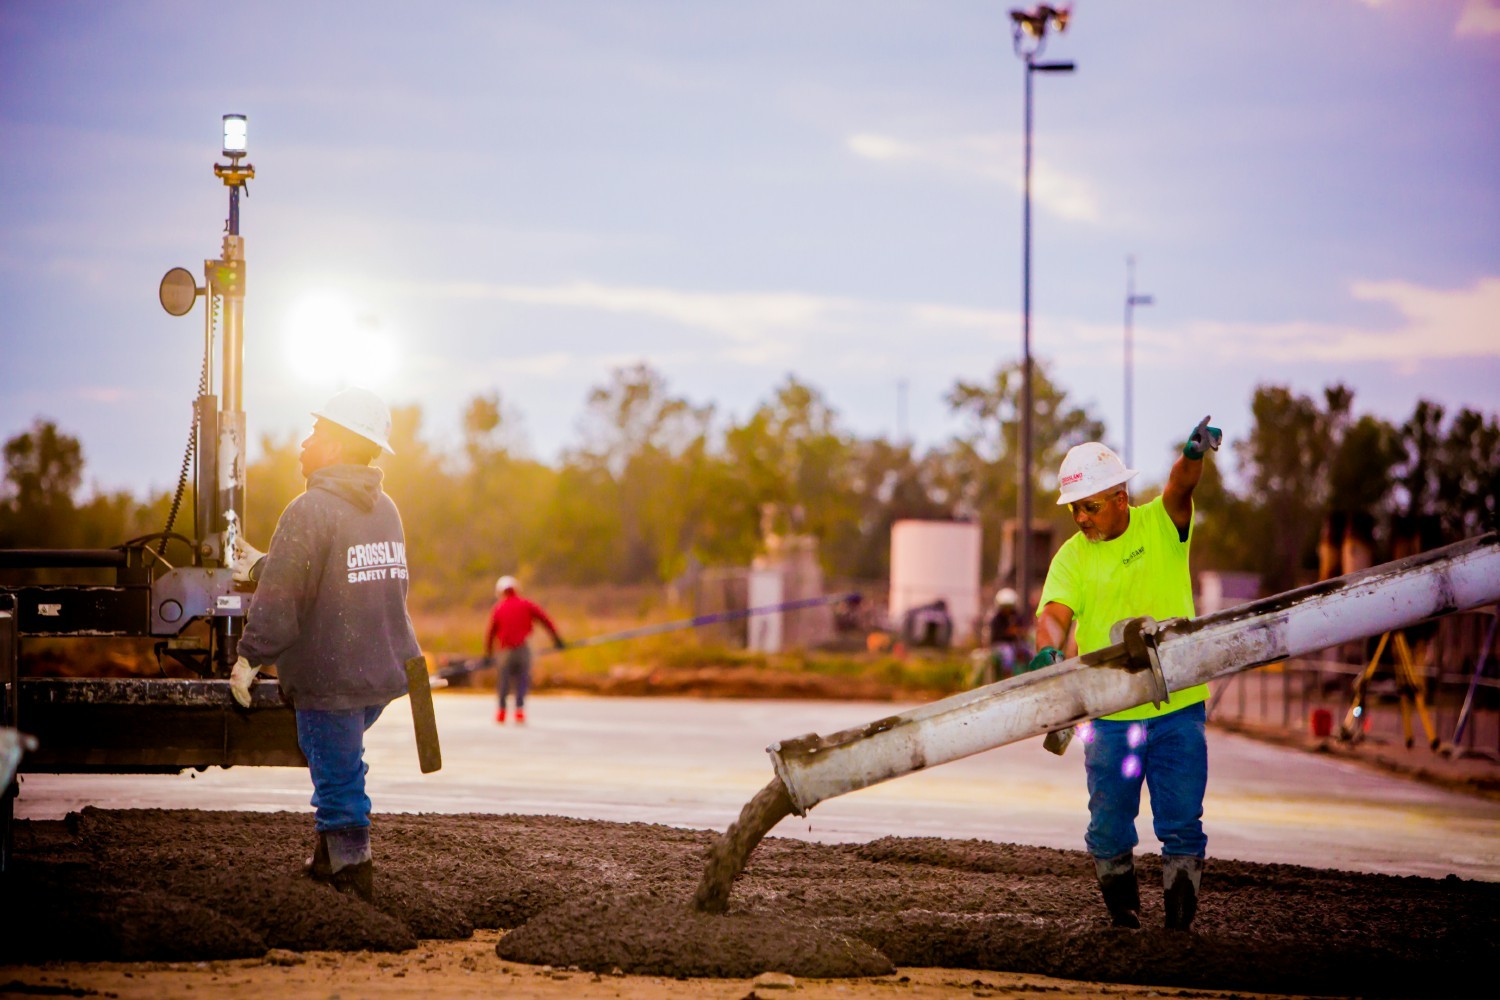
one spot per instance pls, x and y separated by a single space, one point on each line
992 160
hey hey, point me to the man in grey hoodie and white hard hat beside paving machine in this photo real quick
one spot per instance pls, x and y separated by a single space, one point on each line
331 612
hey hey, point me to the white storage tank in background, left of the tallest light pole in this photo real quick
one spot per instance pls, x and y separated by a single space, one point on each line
937 560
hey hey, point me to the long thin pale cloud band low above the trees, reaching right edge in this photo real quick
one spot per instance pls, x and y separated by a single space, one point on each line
778 331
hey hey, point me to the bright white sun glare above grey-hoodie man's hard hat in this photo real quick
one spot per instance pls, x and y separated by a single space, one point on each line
331 343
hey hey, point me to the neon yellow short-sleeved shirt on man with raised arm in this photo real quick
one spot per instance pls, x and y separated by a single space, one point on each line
1144 572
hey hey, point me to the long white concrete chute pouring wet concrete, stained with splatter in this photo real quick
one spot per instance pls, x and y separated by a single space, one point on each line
1154 660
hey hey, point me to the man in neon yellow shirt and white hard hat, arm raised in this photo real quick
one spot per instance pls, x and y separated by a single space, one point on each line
1127 563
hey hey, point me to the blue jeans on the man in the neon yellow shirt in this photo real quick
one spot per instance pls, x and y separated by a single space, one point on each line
1171 755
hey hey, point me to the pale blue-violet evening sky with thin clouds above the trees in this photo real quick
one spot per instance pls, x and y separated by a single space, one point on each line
518 199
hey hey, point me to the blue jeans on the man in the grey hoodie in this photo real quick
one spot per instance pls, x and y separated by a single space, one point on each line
334 744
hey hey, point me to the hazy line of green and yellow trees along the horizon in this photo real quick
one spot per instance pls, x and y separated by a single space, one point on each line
658 485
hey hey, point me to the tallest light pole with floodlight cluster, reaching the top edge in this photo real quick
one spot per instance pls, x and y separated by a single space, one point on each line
1030 37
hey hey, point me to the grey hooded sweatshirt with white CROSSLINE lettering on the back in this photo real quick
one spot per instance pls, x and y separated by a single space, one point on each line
331 605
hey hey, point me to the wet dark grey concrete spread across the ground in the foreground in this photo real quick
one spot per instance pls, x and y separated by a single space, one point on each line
187 885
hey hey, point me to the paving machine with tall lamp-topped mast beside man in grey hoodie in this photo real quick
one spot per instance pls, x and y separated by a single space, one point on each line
196 609
